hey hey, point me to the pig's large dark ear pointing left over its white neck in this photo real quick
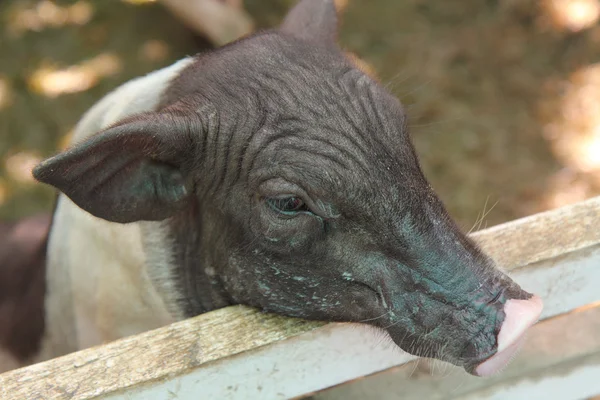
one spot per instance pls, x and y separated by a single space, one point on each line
129 172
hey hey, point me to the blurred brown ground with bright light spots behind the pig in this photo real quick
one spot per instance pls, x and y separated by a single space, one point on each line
503 96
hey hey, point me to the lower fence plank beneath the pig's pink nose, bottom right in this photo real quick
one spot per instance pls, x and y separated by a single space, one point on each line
560 360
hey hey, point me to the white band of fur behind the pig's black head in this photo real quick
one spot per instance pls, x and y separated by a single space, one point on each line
98 281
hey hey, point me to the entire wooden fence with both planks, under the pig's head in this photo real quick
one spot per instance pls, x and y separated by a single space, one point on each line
240 353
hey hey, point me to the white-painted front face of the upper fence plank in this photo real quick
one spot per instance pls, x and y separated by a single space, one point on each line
339 353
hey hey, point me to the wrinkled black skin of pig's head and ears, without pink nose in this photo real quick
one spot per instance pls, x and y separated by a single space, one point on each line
288 179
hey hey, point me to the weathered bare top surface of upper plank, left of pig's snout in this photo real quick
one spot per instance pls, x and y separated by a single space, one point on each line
150 356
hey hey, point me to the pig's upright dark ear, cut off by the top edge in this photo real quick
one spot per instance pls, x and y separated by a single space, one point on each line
312 20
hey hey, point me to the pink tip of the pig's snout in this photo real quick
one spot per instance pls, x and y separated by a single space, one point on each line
520 315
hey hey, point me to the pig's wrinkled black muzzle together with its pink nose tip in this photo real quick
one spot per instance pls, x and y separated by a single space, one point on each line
446 299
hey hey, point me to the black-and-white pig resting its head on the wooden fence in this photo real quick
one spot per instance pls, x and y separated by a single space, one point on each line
270 172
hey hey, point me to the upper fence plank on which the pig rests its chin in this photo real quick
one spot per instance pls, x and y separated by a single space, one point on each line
239 353
